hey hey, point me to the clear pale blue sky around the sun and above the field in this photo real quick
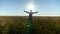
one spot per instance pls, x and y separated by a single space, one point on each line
17 7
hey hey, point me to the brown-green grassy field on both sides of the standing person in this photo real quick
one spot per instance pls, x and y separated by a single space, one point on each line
41 25
